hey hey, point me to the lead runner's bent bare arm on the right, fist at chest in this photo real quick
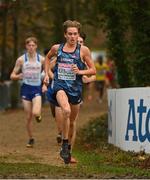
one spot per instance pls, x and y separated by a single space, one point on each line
86 56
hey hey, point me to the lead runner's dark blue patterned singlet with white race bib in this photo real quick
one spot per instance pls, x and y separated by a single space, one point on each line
64 77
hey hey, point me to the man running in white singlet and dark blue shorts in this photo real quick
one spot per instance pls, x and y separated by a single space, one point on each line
28 68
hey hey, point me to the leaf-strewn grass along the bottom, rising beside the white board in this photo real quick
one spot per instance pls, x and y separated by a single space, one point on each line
97 159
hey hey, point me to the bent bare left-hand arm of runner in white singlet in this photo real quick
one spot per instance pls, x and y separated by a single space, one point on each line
15 75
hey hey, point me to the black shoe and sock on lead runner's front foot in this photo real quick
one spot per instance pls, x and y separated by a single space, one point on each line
65 153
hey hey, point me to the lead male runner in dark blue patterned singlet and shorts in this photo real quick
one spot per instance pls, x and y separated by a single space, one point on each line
68 72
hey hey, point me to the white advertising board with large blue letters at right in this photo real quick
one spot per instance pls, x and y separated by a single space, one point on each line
129 118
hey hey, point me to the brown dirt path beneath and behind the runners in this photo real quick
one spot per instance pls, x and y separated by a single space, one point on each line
13 135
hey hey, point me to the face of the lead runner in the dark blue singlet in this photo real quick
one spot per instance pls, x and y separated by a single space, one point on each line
72 35
